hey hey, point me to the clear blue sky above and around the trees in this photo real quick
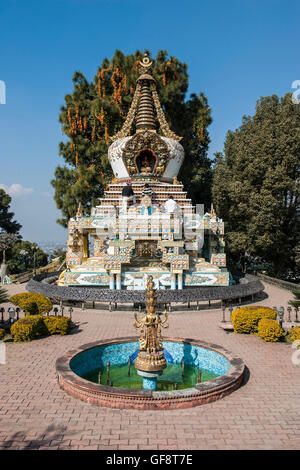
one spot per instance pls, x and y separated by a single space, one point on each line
236 52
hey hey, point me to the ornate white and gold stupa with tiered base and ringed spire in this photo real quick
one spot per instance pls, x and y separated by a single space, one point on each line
179 248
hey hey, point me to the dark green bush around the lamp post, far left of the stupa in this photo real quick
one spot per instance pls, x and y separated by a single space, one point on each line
18 262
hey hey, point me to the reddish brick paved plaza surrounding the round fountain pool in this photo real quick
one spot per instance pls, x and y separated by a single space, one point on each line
263 414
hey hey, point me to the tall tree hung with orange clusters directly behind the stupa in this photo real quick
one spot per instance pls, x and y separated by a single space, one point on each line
96 110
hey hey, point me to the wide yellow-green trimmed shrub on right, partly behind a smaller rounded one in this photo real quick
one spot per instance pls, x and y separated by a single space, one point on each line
245 319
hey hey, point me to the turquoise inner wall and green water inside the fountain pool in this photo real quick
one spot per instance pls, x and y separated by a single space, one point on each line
90 362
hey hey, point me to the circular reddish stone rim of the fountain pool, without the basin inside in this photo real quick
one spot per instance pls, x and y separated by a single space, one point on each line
114 397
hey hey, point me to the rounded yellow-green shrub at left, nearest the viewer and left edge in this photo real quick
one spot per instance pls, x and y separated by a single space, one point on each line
28 328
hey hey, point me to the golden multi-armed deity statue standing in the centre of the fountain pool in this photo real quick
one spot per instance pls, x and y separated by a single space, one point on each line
151 353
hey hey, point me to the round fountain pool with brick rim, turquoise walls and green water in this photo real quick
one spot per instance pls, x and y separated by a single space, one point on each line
221 373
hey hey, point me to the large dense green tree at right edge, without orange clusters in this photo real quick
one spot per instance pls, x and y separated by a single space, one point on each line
256 184
